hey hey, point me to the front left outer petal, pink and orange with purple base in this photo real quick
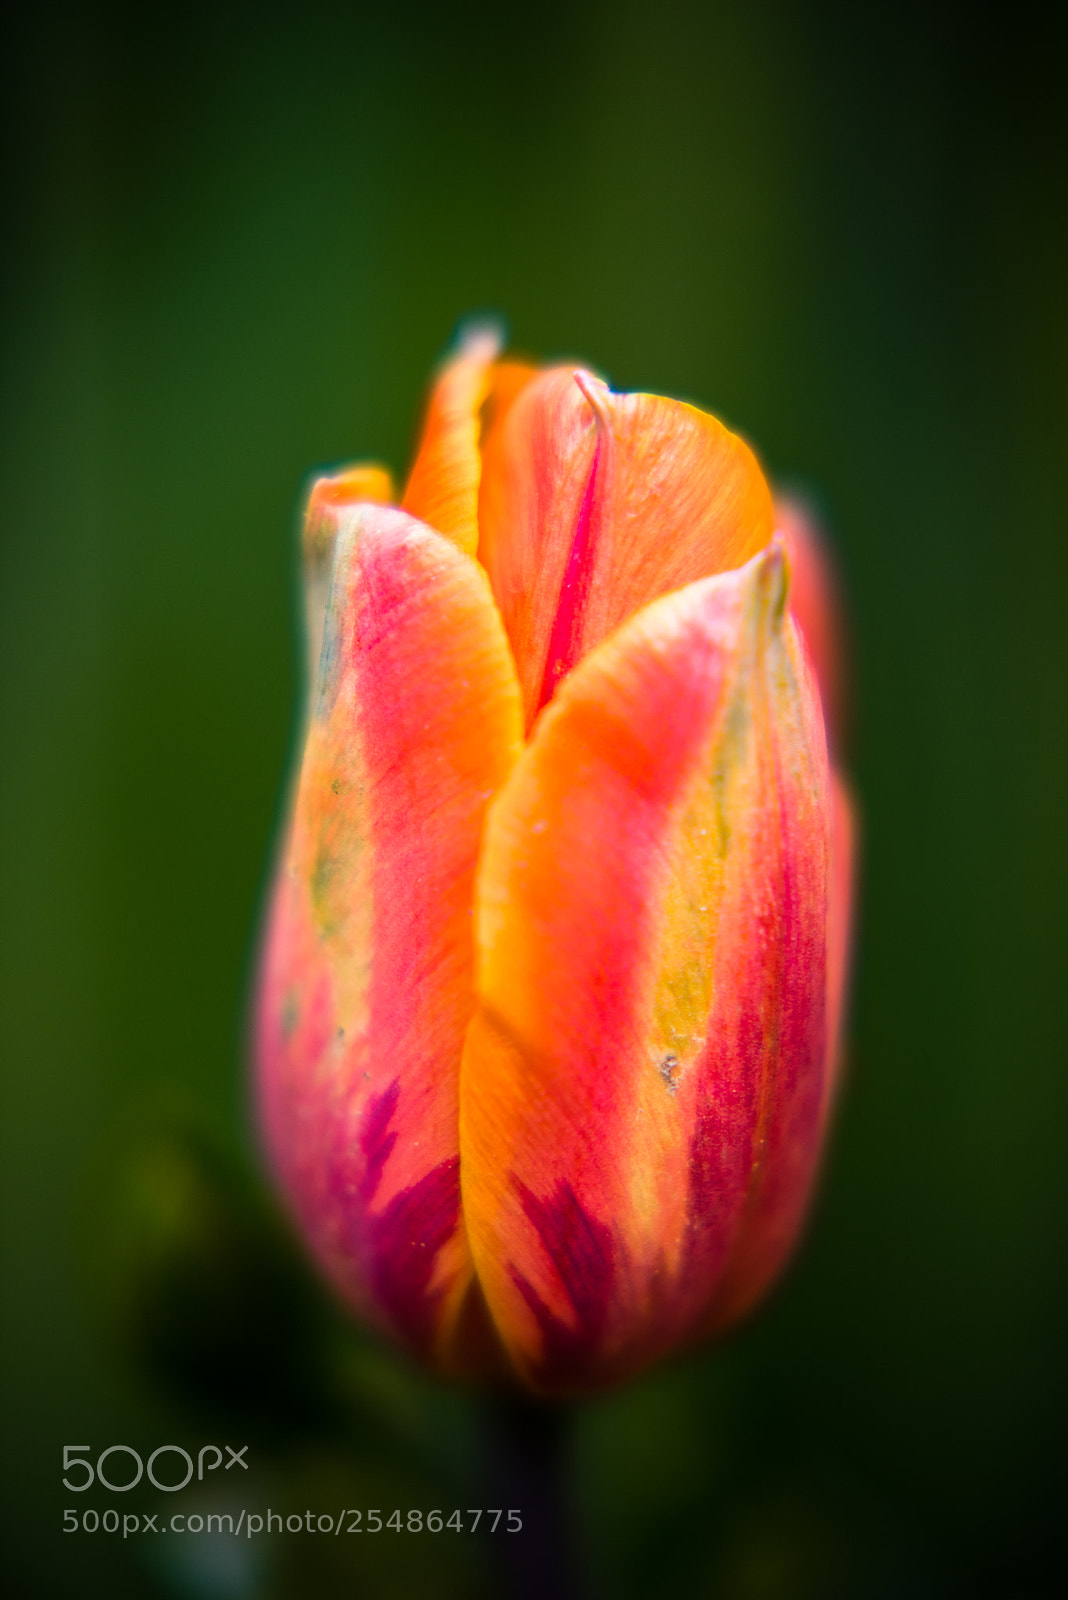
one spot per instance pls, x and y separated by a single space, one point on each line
367 980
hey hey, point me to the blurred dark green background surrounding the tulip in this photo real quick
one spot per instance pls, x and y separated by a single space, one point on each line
237 241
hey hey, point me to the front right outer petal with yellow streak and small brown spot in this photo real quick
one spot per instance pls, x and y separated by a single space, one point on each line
647 1066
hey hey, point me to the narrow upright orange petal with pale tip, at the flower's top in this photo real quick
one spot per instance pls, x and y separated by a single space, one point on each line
444 484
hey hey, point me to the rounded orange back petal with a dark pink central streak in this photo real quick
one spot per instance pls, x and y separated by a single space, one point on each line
592 505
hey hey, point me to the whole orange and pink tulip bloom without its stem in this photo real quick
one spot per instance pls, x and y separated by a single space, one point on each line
551 990
